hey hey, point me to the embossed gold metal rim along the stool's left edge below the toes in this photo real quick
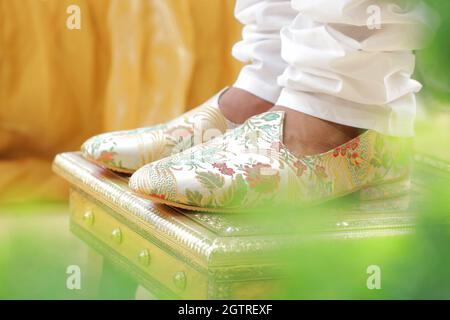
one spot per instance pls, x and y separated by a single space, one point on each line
111 189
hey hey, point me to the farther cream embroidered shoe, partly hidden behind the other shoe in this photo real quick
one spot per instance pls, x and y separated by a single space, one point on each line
126 151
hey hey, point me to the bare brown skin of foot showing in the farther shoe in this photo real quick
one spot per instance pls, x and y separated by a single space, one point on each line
238 105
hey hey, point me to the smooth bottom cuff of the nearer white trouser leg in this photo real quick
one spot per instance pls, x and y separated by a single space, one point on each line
394 119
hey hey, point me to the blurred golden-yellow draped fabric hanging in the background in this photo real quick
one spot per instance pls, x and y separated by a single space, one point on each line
133 63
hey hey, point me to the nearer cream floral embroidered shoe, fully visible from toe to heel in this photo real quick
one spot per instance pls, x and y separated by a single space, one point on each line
249 168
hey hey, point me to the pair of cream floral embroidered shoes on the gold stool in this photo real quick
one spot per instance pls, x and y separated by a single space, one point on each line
247 167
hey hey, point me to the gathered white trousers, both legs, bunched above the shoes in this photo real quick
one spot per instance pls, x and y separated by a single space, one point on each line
345 61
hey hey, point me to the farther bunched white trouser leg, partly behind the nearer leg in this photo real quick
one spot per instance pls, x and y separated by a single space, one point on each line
261 45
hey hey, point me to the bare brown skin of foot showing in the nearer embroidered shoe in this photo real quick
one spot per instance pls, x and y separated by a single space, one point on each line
306 135
